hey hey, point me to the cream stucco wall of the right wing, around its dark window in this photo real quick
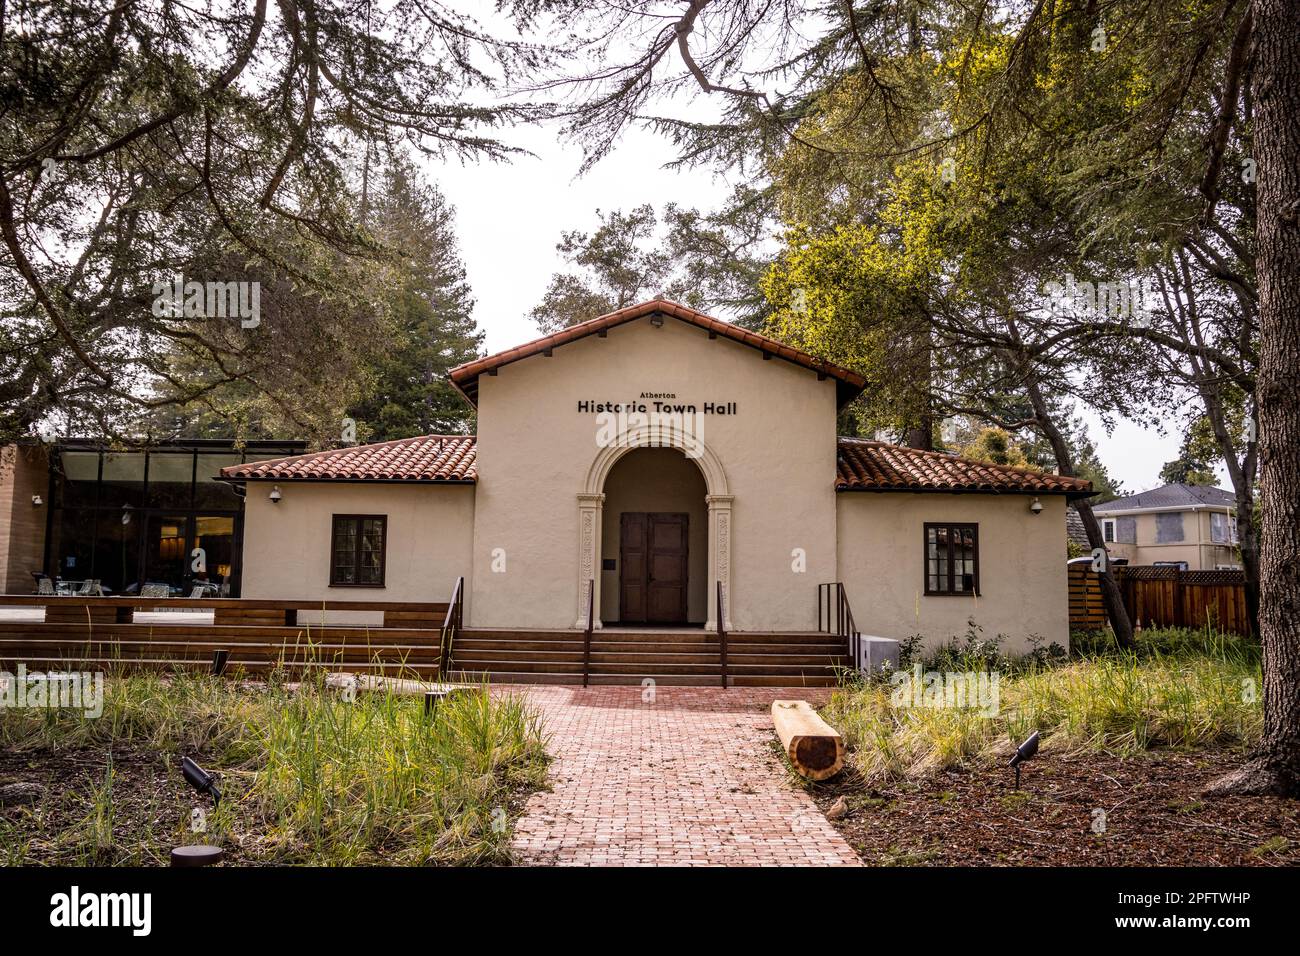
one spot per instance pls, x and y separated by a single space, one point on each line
1022 569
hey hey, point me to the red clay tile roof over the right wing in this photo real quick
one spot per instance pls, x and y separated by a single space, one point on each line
874 466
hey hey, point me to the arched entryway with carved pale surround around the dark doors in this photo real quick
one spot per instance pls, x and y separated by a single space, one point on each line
665 481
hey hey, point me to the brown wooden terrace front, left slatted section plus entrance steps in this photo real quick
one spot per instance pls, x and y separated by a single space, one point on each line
259 637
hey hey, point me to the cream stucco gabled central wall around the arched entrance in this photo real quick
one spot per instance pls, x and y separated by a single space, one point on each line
535 452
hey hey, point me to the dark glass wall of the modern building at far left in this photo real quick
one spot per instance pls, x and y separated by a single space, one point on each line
157 518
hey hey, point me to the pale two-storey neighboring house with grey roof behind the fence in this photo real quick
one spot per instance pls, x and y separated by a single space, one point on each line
1193 527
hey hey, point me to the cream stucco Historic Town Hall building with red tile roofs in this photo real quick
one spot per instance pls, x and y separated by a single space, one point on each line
574 486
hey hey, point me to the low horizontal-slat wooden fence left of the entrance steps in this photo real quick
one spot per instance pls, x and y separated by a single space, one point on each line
257 635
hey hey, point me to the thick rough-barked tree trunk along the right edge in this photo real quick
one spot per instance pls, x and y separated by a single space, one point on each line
1275 768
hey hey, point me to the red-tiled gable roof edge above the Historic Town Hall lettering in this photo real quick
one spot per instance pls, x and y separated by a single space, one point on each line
850 384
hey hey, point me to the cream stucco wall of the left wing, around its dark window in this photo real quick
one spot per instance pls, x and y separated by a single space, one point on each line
287 547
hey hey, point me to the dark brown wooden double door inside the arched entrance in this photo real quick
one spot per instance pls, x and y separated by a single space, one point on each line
653 561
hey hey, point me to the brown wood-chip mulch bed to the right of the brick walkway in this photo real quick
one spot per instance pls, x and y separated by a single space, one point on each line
1155 816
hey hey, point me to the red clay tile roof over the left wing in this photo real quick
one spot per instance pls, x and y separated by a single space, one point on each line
428 458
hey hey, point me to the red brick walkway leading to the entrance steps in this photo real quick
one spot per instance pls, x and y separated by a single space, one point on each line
691 778
